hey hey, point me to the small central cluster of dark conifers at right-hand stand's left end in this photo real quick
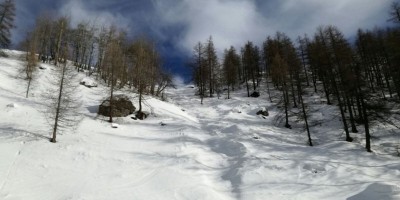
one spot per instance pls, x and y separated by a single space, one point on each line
211 75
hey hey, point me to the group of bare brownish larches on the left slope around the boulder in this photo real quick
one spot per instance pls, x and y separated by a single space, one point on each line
105 53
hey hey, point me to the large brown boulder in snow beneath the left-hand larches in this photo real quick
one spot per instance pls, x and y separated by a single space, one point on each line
121 107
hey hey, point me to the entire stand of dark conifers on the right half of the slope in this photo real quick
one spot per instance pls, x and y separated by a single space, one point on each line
362 79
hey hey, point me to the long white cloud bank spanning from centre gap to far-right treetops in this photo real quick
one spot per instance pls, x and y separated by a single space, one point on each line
233 22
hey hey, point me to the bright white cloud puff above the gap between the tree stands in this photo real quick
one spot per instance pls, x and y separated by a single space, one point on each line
229 22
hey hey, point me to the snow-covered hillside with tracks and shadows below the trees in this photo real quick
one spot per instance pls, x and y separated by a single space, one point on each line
219 150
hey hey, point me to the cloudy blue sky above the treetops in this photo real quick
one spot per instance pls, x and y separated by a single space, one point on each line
177 25
